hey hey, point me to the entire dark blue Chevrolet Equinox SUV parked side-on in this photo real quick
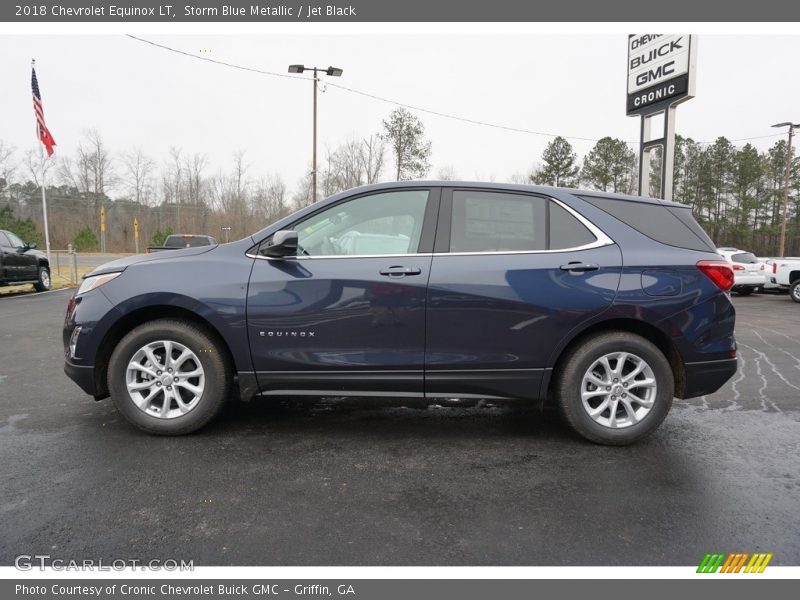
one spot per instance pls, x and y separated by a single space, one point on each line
606 305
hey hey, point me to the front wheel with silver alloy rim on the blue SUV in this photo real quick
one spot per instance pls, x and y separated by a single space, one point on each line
187 410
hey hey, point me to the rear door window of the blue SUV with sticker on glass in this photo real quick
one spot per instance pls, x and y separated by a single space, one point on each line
498 222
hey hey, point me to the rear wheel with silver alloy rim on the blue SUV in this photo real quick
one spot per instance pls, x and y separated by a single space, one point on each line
572 380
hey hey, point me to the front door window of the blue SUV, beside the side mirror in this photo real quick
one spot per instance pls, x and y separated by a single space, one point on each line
378 224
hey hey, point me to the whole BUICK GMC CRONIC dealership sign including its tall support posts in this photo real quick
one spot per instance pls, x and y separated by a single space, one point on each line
660 76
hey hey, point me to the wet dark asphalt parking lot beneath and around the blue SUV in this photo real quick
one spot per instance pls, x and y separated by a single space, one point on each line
355 483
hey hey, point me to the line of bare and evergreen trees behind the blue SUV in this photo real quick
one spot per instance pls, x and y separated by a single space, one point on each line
736 193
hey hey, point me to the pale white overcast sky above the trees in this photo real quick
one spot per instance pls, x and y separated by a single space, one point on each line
138 95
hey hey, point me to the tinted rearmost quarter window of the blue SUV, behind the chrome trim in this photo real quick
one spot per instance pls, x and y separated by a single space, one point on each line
669 225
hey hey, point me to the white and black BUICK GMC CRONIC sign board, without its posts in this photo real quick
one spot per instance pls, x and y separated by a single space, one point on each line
660 70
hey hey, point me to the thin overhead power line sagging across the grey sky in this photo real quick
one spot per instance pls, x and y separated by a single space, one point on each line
404 105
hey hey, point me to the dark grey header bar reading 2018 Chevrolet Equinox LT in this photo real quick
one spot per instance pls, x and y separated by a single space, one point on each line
171 11
